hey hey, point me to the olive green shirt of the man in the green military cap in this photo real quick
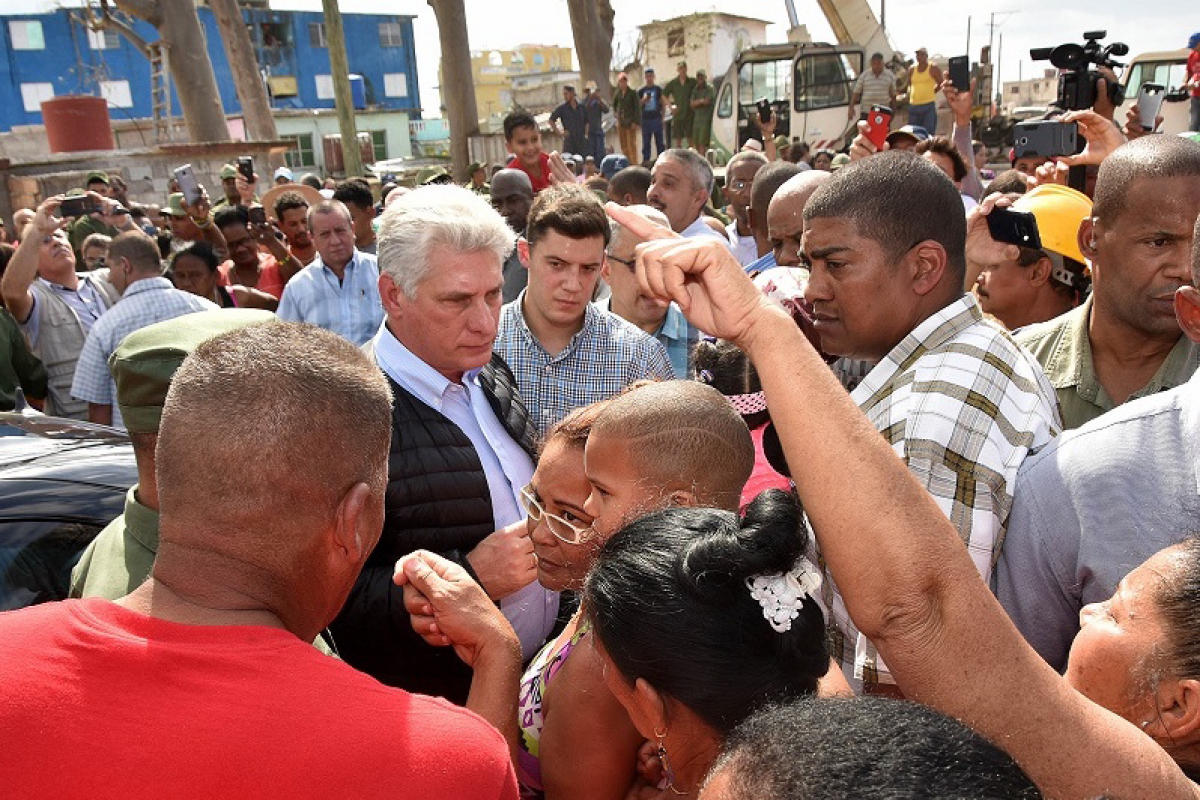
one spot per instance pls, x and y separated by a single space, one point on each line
119 560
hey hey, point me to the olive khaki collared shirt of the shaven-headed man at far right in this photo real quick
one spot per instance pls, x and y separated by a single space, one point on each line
1064 350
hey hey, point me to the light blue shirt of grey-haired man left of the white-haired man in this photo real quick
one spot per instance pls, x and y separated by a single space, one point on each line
350 308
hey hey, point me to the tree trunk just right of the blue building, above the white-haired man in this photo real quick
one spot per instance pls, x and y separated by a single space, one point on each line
458 86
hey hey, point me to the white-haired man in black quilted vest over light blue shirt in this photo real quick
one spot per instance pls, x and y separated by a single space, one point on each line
463 444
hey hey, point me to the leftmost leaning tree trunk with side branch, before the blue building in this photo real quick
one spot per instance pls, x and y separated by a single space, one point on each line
191 71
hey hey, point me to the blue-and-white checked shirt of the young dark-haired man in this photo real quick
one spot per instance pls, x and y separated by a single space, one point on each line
605 357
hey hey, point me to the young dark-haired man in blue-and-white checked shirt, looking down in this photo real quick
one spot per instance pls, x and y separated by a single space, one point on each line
563 351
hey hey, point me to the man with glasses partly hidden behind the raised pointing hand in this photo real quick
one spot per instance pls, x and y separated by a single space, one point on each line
663 321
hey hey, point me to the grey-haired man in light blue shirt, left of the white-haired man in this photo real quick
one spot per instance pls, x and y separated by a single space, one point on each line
340 290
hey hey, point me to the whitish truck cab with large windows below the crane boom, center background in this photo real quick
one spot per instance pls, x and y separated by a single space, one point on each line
809 87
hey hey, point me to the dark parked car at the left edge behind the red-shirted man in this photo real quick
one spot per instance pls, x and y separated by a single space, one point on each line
62 482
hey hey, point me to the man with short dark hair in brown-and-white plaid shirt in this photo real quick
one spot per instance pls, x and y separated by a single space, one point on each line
956 396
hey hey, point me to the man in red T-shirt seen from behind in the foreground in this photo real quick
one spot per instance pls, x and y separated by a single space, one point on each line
202 682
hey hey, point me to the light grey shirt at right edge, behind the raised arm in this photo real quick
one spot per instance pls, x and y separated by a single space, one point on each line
1091 508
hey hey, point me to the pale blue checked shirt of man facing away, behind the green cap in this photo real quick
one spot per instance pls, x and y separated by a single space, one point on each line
145 303
